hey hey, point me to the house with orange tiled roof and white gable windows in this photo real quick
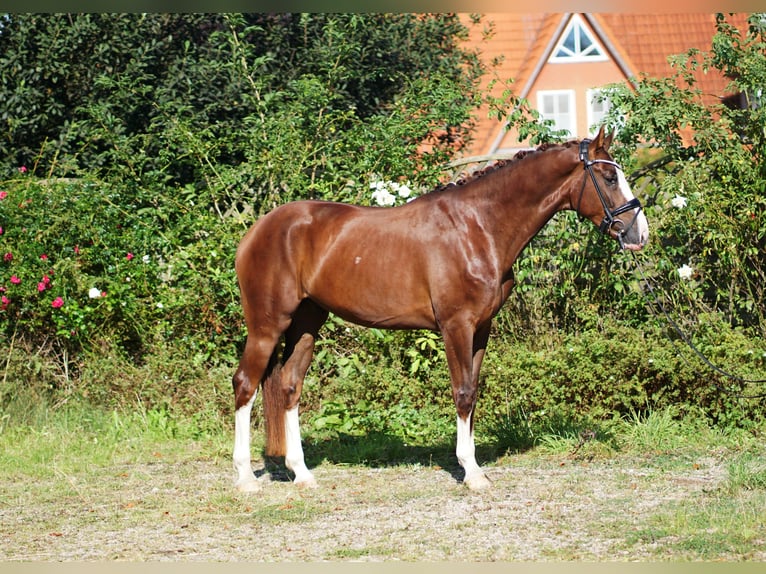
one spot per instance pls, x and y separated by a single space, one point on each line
558 63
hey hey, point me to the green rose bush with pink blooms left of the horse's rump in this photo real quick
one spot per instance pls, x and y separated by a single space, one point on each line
87 263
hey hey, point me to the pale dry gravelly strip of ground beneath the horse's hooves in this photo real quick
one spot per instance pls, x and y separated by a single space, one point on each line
552 509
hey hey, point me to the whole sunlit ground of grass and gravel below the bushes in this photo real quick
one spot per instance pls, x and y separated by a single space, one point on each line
76 483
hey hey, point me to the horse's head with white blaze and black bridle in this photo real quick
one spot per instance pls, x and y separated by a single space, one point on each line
604 195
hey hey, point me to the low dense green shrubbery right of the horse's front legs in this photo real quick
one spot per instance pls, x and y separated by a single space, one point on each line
619 370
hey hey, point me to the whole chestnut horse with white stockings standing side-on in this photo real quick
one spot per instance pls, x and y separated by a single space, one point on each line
442 262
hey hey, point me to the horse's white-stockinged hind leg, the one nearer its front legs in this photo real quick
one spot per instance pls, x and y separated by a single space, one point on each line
299 349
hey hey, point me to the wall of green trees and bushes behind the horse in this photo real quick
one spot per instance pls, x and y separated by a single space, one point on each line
137 149
